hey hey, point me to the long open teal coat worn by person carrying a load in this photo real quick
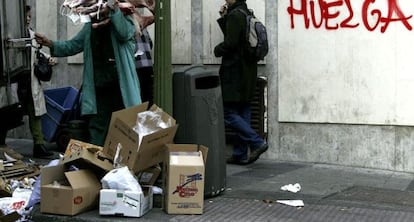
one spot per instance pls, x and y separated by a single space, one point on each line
123 41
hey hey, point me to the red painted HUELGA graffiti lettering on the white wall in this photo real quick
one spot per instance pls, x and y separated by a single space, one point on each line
328 14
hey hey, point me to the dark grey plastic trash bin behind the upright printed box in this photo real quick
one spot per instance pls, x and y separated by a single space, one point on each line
198 109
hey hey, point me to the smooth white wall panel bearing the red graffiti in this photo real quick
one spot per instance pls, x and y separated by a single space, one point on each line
346 75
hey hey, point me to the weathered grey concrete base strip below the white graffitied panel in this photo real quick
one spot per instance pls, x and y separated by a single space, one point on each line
384 147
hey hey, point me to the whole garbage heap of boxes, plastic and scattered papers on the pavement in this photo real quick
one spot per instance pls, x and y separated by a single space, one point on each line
120 178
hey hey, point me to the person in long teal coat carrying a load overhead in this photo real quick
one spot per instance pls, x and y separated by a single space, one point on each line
110 81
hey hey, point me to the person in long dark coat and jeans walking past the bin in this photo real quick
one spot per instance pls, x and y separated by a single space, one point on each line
238 75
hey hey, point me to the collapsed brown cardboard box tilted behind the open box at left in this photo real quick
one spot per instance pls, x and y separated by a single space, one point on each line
87 157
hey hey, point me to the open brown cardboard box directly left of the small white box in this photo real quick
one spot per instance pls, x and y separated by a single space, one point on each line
77 191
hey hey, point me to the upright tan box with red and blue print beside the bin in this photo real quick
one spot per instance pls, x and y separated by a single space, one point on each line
184 178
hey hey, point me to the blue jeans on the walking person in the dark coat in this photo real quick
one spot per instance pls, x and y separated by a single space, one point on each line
237 117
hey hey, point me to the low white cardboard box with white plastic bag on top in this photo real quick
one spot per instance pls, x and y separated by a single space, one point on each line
125 202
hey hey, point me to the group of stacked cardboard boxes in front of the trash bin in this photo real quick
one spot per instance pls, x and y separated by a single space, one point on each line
73 186
